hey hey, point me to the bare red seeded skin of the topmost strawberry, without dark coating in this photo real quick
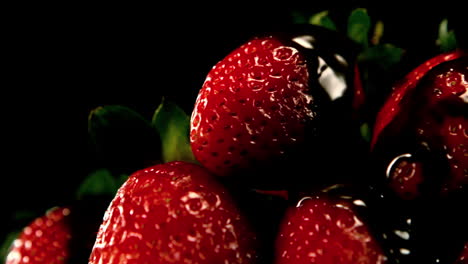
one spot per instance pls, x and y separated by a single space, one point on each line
252 104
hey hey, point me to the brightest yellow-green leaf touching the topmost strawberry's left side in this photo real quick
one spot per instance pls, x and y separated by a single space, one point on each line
173 125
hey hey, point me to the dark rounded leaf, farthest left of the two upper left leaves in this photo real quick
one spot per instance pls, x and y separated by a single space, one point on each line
124 140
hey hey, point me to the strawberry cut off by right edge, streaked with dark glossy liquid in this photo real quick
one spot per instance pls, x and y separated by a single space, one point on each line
420 133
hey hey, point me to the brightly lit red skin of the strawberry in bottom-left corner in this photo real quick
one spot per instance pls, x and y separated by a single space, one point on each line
45 240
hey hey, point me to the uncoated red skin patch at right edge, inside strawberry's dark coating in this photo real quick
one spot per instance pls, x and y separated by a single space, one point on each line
452 87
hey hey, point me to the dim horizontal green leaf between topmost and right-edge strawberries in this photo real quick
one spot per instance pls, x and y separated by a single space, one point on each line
385 55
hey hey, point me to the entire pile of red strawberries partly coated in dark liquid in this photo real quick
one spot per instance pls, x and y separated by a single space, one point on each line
277 170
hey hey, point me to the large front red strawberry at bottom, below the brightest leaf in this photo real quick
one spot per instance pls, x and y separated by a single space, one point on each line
173 213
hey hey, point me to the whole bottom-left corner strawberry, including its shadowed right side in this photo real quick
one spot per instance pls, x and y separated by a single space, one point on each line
63 235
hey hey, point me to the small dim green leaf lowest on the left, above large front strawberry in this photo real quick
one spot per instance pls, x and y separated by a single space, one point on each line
99 182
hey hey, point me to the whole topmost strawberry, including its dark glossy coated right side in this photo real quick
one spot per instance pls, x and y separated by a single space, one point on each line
274 97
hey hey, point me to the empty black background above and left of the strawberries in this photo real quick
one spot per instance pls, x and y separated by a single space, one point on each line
62 60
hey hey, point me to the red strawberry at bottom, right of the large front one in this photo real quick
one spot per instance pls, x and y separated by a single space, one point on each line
321 230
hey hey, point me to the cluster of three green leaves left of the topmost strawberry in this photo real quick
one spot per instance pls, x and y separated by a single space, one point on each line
162 139
